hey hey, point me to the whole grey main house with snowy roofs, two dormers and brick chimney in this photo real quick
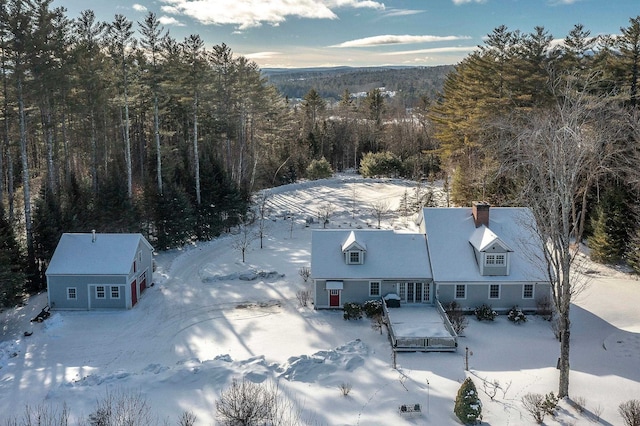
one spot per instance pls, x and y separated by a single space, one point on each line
472 256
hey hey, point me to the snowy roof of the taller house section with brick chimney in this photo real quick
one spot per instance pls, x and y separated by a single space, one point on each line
450 231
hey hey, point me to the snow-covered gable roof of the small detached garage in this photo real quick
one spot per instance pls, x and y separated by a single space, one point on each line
109 254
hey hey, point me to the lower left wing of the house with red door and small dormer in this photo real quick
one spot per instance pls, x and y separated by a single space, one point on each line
360 265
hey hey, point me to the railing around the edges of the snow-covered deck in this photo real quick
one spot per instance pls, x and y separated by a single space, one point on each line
425 343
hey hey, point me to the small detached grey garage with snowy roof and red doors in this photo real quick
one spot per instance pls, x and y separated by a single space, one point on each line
99 271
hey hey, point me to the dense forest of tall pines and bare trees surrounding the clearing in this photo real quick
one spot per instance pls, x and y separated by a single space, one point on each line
118 127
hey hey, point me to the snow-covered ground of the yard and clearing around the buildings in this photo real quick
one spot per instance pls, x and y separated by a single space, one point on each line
210 318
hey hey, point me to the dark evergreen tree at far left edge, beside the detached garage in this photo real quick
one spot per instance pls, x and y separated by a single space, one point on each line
12 276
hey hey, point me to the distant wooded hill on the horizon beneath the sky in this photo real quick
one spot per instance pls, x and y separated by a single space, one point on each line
409 82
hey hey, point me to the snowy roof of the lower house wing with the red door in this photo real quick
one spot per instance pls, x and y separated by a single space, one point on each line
389 255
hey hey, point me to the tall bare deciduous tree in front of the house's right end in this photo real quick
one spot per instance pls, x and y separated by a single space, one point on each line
557 154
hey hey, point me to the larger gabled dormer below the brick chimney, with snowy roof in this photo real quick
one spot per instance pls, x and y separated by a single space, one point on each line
492 254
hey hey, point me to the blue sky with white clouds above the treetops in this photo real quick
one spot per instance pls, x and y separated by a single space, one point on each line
312 33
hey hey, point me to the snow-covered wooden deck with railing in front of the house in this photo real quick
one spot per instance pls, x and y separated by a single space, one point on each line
420 327
